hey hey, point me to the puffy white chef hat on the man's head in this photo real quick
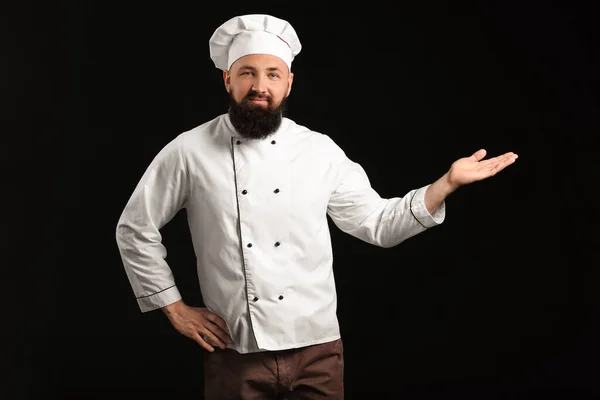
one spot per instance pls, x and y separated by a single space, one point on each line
253 34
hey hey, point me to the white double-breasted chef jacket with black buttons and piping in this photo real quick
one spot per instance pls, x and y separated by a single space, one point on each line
257 216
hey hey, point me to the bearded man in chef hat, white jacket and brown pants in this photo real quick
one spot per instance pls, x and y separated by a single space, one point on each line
257 188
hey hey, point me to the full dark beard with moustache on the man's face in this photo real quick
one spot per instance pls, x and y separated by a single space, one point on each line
252 121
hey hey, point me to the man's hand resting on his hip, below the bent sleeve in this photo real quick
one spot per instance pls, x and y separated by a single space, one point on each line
196 322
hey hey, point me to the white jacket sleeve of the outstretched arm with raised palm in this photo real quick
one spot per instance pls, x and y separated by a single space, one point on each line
357 209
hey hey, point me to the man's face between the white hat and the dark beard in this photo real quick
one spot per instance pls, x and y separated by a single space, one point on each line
260 80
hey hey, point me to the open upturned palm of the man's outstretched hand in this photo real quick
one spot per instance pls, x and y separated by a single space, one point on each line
470 169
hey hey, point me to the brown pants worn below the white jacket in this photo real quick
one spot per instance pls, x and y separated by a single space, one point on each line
313 372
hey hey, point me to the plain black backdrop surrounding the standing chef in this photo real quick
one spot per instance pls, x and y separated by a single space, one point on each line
500 302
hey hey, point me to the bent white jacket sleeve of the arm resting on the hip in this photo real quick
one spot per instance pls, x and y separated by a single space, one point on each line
159 195
